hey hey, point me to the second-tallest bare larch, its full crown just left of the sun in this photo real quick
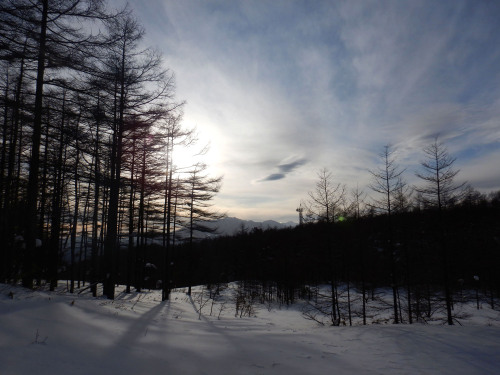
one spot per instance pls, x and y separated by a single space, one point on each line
140 87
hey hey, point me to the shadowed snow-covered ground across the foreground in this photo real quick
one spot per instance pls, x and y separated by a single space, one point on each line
58 333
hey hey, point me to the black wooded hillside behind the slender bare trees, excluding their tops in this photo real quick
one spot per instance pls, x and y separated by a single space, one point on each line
284 265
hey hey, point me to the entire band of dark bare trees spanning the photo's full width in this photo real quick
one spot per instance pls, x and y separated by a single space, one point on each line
91 190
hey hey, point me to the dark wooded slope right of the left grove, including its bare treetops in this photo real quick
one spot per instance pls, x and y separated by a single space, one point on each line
429 244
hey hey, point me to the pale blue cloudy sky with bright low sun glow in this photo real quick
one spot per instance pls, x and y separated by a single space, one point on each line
282 89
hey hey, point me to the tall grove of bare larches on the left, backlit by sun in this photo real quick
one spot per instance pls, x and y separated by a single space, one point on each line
88 175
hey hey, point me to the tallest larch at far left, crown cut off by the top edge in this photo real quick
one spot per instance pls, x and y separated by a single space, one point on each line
49 34
